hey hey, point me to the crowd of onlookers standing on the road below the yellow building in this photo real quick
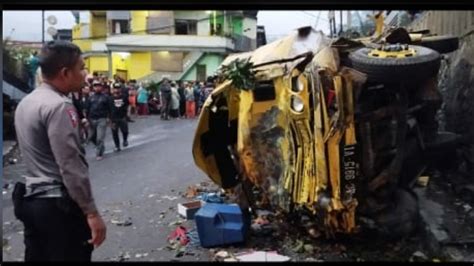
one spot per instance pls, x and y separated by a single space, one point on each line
113 103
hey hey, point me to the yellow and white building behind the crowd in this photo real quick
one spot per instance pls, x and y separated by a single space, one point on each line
151 45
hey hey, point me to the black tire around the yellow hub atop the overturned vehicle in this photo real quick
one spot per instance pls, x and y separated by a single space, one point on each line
423 65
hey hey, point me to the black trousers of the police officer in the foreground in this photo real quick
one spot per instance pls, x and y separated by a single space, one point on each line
55 230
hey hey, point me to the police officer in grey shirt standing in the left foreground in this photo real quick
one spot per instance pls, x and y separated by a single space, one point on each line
58 211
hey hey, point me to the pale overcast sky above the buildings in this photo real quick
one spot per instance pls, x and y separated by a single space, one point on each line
26 25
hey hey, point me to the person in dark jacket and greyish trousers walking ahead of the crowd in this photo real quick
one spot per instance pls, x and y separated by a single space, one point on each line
98 111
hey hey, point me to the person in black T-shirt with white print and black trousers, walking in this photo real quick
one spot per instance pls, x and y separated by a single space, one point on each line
119 116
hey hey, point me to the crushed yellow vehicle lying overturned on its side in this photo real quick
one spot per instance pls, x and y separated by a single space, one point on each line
339 129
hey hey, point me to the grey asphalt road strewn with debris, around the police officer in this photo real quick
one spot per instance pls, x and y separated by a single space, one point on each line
138 184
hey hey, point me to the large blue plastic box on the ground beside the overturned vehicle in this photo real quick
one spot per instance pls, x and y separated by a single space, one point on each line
220 224
